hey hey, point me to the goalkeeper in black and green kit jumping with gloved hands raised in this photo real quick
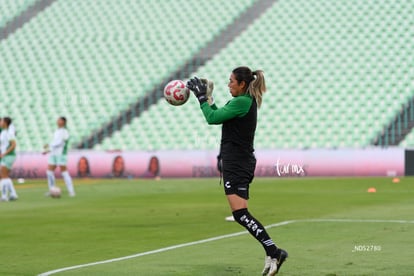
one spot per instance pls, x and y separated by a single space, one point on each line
239 118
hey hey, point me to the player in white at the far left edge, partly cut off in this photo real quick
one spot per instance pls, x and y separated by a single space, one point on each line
8 156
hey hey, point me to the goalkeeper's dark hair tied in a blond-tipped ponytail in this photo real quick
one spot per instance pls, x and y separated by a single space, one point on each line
255 82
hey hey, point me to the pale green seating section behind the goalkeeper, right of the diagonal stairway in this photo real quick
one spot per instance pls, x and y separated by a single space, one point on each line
337 75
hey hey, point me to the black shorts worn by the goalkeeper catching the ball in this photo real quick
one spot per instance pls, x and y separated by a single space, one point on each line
237 177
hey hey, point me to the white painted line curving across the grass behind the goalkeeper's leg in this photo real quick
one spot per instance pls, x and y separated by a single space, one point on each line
173 247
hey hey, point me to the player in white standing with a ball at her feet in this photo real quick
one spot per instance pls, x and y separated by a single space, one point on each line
58 149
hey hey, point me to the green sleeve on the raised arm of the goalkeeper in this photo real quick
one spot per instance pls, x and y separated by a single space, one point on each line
237 107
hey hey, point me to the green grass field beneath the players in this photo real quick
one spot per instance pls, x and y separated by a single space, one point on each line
115 218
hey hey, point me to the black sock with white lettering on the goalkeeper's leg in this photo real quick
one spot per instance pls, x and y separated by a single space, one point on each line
256 229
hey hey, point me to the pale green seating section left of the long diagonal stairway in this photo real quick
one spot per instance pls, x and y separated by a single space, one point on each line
90 61
